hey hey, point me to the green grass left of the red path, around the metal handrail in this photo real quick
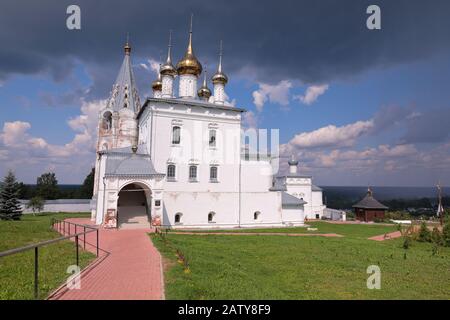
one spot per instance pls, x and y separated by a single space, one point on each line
17 271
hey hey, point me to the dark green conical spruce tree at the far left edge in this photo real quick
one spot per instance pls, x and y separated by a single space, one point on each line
10 208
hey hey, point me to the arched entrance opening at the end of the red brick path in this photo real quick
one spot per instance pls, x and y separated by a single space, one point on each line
133 206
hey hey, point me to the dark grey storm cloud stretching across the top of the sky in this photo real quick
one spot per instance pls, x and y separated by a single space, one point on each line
310 40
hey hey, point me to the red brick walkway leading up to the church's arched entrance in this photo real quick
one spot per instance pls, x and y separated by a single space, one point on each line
129 268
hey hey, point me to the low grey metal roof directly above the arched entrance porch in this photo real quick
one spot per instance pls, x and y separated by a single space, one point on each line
130 165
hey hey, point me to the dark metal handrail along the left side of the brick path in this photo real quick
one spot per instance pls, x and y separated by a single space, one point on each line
60 226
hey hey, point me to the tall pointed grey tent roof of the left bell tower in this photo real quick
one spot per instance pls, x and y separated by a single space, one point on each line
124 93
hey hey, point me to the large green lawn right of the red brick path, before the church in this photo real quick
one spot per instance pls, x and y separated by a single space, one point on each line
278 267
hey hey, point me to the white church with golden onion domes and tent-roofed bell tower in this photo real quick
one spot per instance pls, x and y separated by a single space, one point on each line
178 160
